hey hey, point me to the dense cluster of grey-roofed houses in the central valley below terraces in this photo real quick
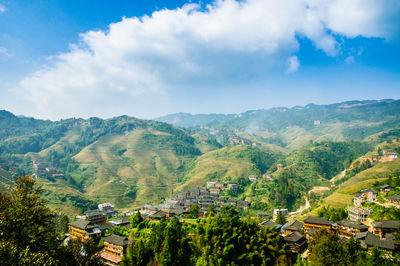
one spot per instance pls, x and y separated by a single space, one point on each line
205 197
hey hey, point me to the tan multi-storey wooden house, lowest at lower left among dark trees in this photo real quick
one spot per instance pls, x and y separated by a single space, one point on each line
114 248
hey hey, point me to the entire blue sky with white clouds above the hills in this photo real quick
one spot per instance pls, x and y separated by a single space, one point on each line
105 58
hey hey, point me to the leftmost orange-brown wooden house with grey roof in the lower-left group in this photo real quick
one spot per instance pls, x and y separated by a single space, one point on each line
83 229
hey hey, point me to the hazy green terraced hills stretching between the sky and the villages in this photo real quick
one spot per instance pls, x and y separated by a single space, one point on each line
130 162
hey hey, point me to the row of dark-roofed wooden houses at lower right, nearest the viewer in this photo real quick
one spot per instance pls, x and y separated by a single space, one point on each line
380 234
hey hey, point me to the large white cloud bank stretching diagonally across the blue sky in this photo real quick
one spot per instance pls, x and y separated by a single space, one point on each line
230 41
